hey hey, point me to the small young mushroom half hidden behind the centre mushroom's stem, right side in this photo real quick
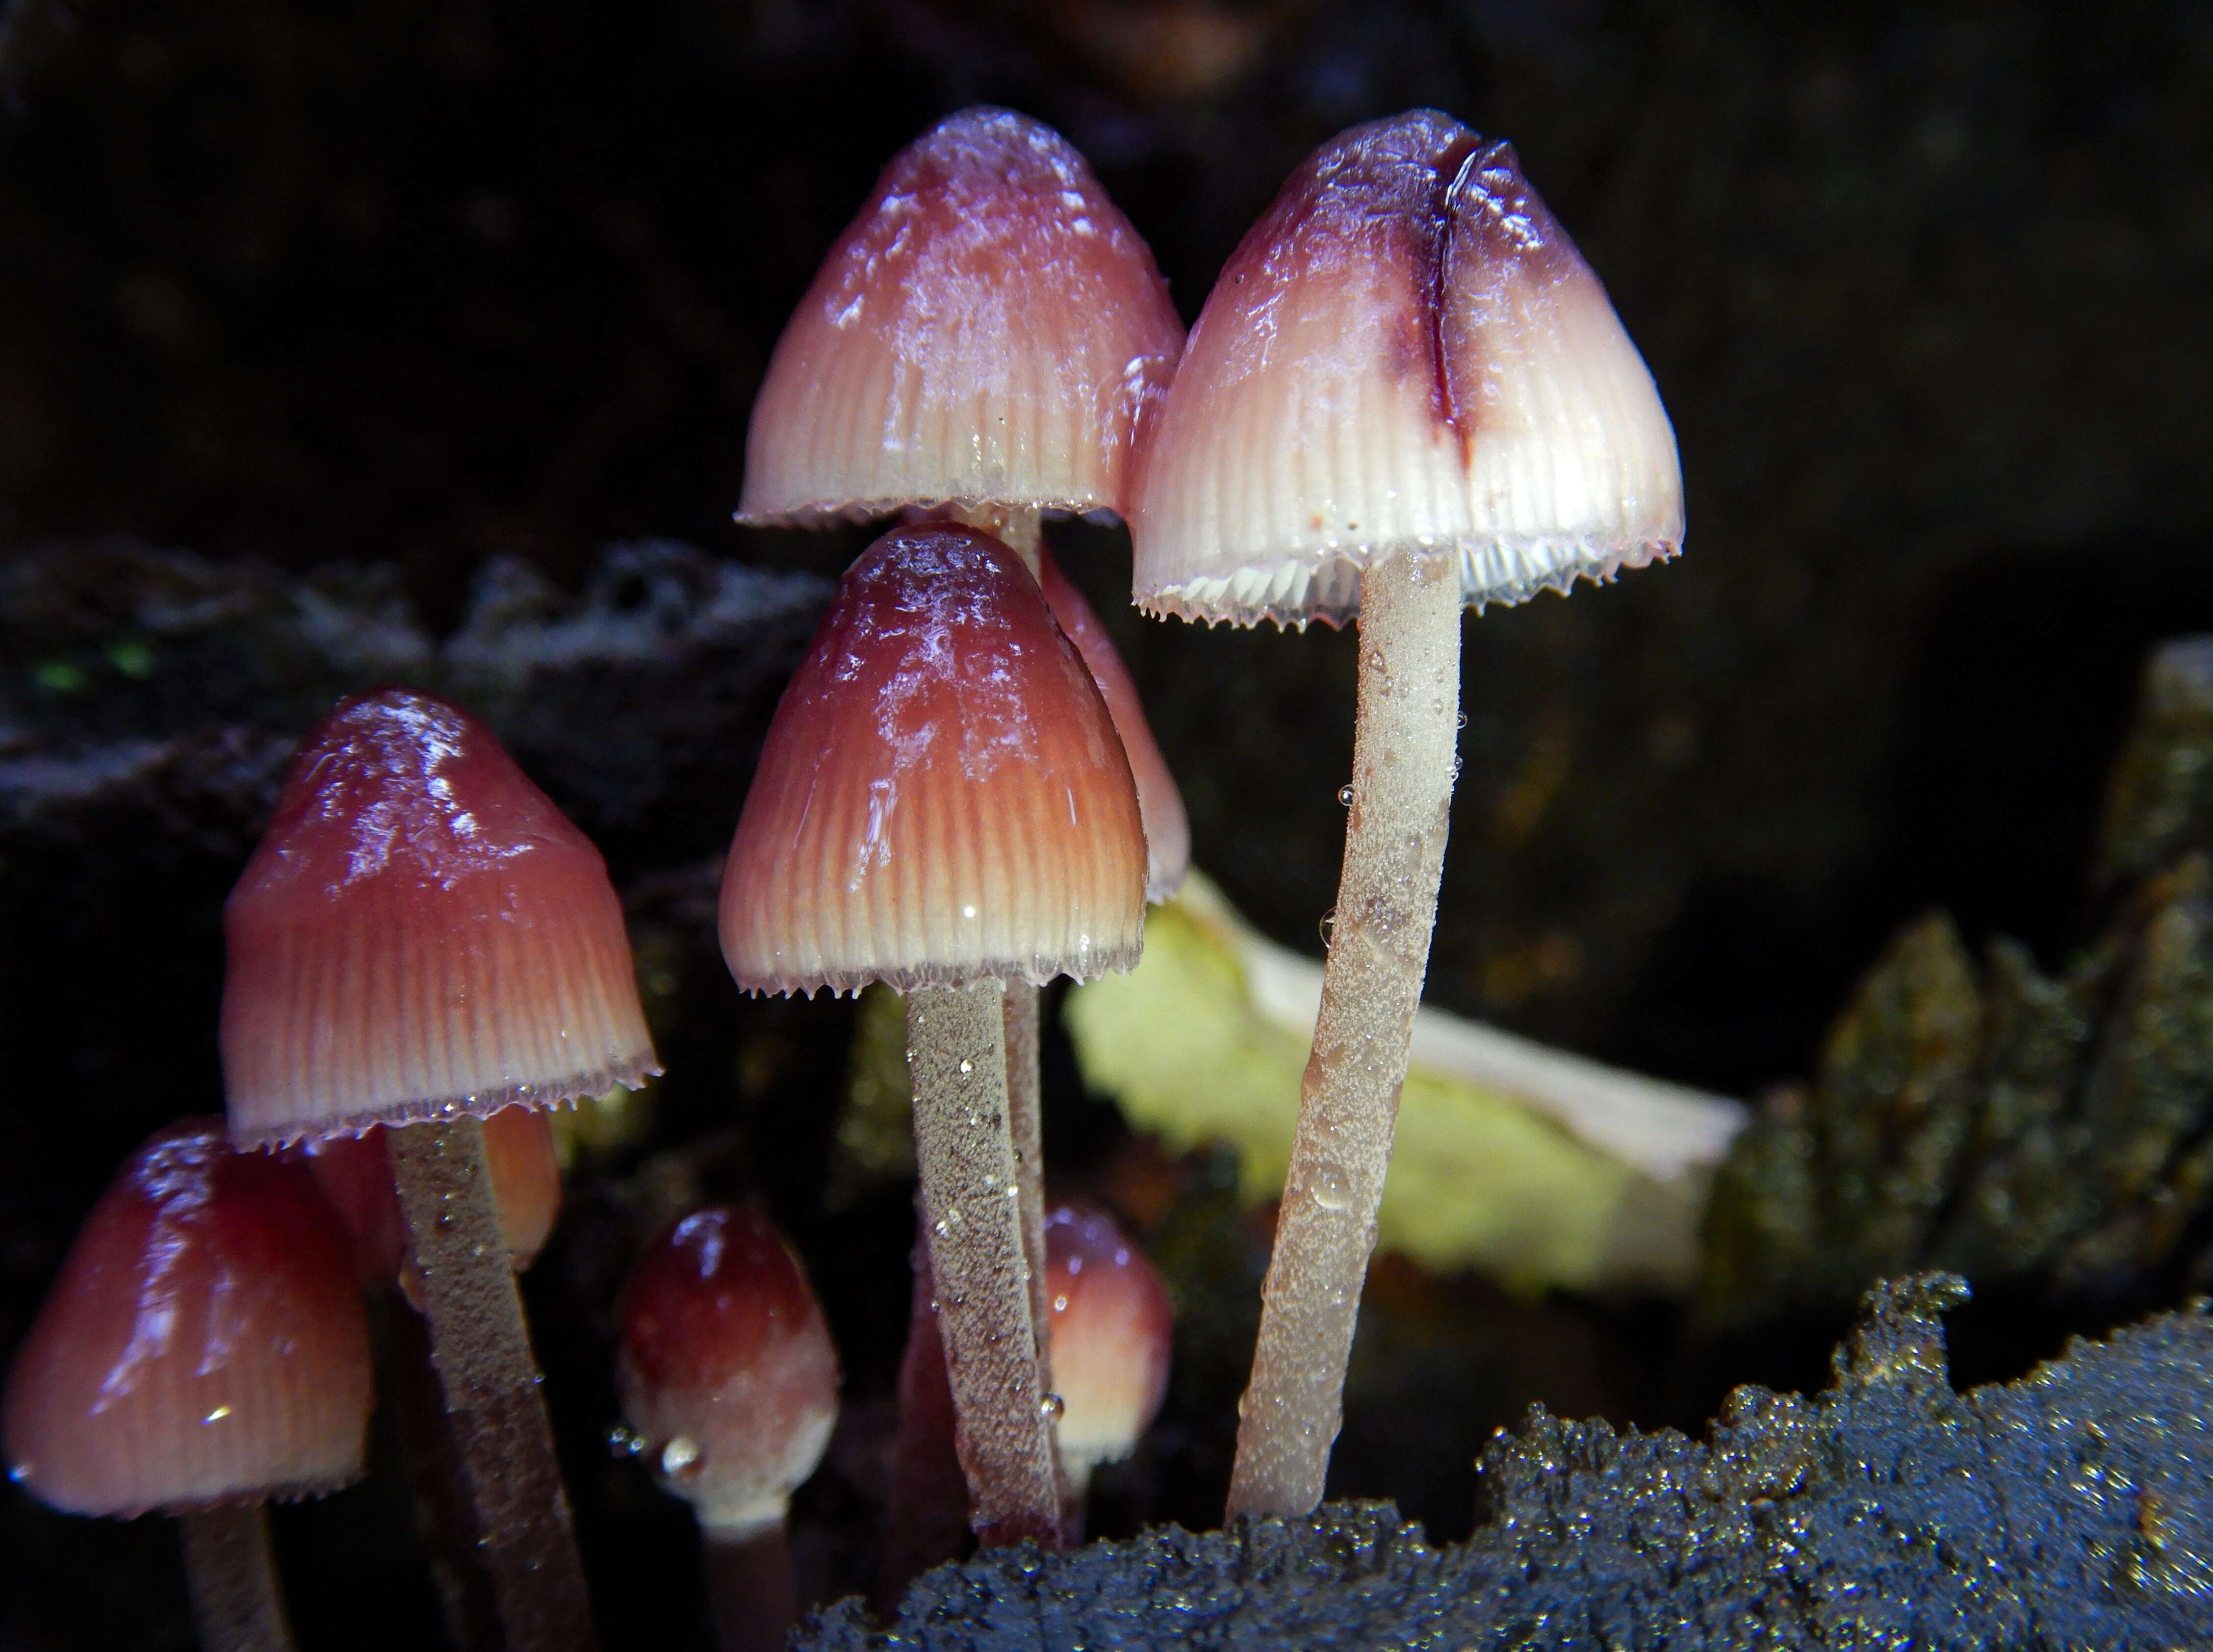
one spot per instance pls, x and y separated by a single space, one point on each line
1114 1332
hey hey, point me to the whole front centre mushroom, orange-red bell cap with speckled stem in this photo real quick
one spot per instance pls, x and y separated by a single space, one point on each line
944 805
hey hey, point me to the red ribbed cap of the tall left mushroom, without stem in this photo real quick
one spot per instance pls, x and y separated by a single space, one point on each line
422 933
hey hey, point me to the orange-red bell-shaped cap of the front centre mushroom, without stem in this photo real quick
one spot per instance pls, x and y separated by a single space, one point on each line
942 796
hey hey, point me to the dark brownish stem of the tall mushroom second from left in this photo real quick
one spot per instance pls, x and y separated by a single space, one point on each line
484 1354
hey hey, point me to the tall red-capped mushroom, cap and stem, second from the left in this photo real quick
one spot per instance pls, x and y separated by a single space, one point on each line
424 940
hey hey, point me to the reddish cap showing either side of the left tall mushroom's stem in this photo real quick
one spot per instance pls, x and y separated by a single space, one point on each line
355 1177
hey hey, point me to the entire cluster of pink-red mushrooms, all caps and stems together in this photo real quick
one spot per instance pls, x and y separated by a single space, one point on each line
1406 397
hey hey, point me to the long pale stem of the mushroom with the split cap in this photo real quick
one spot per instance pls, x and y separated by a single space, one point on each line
1380 951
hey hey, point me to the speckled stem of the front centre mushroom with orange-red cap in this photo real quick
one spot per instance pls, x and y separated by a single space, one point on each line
957 1046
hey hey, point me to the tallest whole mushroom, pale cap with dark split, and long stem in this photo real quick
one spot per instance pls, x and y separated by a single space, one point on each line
1406 395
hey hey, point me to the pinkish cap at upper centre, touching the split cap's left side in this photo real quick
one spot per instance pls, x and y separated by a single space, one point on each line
990 331
